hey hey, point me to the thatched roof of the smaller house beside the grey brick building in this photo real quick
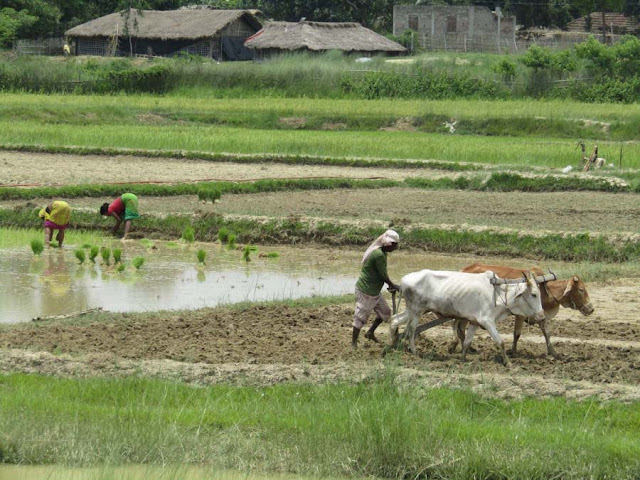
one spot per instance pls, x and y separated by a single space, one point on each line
320 36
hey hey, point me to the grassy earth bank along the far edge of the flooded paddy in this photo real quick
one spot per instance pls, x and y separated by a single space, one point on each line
575 248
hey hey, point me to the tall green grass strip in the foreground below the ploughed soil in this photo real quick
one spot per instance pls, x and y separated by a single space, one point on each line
371 428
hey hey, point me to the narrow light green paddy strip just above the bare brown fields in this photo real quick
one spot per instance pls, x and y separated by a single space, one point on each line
521 151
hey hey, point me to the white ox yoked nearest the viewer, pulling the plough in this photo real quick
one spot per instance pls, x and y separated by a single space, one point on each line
469 296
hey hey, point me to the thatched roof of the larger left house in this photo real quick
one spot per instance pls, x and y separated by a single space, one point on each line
164 25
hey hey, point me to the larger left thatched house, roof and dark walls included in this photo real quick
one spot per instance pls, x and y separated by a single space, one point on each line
217 34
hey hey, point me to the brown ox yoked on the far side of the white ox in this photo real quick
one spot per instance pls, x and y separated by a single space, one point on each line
570 293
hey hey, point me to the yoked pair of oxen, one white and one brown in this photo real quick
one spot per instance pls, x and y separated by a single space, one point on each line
483 295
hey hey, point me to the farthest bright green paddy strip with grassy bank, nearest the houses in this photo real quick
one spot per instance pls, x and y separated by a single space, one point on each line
479 117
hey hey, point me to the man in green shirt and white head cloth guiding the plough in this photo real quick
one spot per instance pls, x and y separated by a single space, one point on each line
373 276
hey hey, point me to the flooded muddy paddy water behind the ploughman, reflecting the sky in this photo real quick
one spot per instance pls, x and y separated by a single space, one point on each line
56 284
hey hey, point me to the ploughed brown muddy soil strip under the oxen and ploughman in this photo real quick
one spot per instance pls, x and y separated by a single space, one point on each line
600 354
